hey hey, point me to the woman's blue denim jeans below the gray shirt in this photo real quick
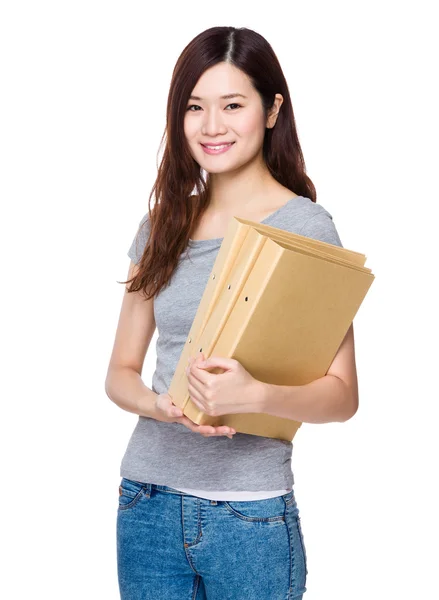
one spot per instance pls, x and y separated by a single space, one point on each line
174 546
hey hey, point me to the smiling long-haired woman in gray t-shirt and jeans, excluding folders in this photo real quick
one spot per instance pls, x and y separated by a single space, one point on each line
206 511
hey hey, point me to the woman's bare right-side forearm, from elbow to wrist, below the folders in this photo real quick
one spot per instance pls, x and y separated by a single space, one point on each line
324 400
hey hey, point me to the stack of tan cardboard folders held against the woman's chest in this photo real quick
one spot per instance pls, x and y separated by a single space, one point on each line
279 303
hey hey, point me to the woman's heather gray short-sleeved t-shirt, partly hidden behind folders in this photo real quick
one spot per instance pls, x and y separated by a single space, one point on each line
169 453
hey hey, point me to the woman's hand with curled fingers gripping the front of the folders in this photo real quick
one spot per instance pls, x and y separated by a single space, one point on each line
233 391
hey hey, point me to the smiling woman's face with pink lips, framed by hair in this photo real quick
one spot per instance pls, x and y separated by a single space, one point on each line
213 120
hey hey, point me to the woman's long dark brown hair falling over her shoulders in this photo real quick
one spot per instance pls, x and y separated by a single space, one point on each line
176 211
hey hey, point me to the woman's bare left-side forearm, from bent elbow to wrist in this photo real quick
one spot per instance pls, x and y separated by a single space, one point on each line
125 387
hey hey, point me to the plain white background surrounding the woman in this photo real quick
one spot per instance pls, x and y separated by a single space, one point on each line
84 91
